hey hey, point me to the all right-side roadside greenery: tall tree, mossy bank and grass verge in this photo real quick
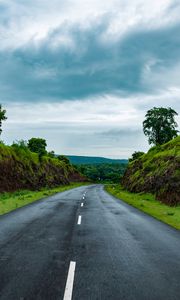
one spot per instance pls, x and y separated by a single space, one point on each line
151 181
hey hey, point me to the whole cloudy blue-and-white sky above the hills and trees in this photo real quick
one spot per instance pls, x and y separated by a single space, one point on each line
83 73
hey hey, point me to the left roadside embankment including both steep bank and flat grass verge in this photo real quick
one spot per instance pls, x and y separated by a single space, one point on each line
25 177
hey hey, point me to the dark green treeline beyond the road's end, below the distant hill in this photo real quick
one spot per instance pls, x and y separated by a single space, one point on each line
110 173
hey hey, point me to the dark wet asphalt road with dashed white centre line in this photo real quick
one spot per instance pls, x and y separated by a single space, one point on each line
117 251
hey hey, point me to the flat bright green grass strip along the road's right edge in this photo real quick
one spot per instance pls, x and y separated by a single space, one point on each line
148 204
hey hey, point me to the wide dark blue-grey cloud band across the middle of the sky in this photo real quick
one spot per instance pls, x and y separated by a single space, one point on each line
91 67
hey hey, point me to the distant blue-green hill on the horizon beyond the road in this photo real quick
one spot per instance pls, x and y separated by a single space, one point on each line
80 160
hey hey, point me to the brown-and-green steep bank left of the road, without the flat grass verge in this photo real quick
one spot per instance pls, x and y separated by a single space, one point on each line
22 169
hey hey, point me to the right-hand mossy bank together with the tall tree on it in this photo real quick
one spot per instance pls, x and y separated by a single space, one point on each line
157 171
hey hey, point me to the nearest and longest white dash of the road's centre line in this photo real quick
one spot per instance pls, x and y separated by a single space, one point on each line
70 281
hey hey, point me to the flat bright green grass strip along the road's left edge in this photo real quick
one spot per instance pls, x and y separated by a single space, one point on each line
12 201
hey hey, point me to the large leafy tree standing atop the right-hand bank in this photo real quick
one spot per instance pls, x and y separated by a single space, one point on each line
160 125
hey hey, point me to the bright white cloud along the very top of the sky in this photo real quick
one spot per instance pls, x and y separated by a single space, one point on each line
23 21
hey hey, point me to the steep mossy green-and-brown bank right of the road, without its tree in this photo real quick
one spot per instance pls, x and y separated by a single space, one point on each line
158 172
